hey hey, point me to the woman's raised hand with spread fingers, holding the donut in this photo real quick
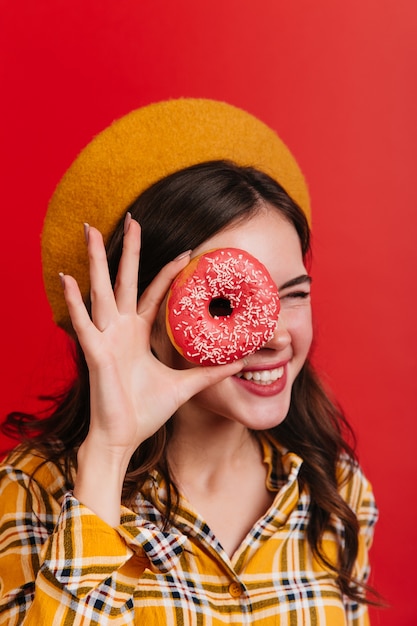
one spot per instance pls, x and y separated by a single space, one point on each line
132 393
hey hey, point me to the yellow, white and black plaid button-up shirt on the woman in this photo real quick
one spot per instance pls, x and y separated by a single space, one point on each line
60 564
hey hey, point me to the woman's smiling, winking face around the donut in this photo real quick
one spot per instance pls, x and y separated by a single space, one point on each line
263 403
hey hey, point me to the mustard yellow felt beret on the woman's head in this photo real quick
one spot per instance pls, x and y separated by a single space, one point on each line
136 151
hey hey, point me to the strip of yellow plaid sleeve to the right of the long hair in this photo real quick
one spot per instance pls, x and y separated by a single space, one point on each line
362 501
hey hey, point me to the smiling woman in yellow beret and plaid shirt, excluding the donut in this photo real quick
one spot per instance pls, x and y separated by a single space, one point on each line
163 492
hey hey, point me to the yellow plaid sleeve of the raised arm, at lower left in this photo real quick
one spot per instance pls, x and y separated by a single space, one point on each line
62 564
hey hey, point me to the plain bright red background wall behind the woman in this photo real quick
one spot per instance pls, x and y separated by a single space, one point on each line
338 80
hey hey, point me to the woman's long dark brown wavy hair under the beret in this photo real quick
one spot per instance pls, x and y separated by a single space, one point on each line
179 213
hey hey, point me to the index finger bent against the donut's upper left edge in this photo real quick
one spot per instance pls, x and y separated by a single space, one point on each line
152 298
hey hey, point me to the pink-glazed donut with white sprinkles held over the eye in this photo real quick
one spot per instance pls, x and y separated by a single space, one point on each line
221 307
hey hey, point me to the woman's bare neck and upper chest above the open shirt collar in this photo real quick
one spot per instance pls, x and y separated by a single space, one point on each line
218 467
